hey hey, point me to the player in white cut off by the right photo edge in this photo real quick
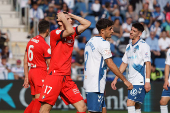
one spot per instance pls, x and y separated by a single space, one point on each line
166 88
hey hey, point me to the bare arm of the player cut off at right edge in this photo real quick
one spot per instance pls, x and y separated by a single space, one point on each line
166 83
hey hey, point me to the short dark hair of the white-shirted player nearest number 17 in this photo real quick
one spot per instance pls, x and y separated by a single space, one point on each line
103 24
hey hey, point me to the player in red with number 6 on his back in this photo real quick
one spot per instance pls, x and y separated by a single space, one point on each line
37 54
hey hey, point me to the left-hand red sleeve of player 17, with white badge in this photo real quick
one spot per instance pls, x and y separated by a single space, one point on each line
56 34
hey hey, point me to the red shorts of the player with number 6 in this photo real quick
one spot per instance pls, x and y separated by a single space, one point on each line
36 79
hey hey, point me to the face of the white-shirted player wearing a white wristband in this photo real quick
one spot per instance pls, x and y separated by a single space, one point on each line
134 33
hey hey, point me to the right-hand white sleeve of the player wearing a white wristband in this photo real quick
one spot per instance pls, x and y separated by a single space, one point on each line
145 51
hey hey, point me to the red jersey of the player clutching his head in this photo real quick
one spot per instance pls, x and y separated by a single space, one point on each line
61 52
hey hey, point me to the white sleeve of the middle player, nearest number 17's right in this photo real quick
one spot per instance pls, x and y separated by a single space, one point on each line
104 50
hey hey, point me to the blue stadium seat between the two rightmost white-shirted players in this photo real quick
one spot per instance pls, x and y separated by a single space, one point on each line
160 63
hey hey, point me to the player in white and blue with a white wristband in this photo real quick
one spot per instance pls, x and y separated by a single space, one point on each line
137 57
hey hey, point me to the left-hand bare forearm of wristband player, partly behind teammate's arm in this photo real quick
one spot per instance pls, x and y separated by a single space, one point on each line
122 68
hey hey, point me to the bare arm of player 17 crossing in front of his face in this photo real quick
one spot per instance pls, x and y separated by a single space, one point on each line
68 27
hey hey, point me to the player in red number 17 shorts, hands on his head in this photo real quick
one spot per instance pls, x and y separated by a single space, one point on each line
58 81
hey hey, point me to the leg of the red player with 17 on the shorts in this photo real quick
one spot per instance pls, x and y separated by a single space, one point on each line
50 92
